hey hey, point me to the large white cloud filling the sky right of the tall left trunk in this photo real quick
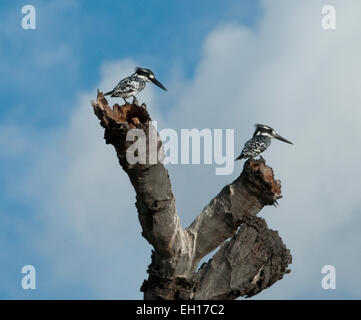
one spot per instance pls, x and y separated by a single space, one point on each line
303 81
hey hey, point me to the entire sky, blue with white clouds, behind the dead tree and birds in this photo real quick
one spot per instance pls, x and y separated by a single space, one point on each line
273 63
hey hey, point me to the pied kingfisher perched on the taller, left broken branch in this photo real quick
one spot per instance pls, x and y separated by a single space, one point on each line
133 84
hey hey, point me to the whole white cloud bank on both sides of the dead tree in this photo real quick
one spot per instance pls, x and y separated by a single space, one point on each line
288 73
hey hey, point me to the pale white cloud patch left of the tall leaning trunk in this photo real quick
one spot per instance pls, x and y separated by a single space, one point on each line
88 212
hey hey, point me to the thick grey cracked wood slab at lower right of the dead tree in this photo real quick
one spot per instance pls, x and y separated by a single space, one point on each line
251 261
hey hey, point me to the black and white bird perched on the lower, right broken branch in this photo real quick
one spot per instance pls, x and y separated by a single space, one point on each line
260 141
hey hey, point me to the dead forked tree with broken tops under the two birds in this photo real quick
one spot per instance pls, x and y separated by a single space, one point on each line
250 257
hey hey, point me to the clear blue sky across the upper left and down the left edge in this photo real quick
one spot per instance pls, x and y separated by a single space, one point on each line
44 70
